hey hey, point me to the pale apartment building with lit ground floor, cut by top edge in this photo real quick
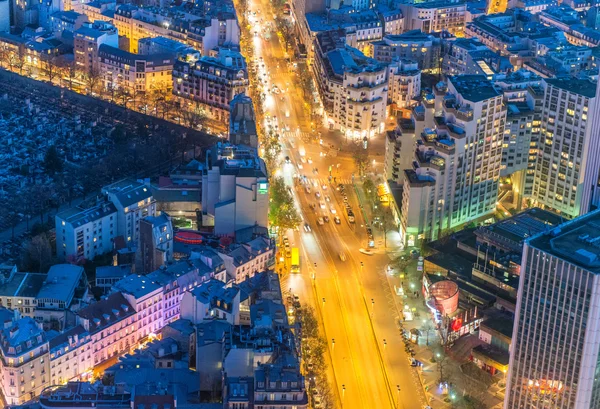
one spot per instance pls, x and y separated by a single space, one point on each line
435 16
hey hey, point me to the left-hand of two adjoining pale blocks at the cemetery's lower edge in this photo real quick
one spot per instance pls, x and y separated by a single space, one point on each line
86 232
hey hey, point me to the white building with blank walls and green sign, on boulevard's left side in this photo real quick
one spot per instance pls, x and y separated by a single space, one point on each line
235 189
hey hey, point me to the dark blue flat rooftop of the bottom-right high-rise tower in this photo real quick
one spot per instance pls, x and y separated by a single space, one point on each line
576 241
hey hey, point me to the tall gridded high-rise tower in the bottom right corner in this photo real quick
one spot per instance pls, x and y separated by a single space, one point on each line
554 360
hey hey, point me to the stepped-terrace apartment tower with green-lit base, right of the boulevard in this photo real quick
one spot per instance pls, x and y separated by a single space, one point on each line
456 171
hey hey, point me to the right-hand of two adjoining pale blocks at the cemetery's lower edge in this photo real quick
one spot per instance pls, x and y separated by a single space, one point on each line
133 201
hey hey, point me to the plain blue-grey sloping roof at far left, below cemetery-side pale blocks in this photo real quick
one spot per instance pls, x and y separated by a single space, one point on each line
61 282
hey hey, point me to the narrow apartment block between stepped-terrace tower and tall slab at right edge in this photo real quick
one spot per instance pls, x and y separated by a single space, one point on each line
523 96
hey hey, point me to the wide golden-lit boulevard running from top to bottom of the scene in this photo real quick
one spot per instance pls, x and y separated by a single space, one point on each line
352 297
